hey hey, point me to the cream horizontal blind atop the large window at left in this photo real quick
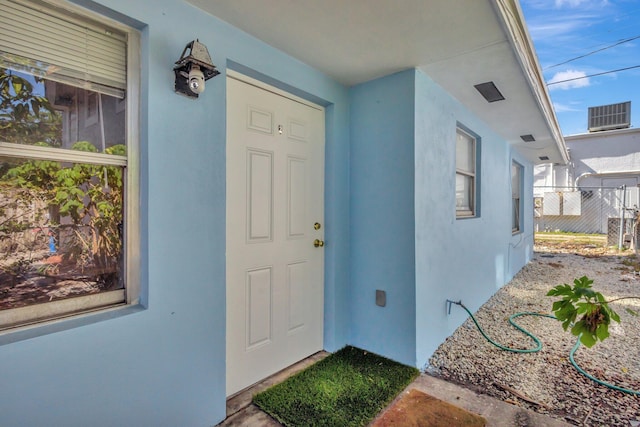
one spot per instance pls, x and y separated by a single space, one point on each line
37 38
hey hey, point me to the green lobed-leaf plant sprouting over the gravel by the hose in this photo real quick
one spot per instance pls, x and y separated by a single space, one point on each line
584 310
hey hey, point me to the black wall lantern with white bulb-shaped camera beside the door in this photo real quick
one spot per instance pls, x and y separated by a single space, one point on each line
194 69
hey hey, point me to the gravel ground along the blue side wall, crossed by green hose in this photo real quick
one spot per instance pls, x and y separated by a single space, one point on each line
546 381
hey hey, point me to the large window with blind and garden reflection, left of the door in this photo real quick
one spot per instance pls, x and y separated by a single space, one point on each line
67 133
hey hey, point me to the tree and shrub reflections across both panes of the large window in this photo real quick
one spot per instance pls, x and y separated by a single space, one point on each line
87 198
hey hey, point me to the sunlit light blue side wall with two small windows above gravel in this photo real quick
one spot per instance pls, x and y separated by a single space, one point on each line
467 259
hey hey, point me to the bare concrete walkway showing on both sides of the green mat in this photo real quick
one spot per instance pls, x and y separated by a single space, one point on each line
241 412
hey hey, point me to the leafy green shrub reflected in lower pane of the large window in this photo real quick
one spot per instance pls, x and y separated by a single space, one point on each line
89 195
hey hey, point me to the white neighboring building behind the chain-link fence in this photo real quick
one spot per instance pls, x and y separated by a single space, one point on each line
600 163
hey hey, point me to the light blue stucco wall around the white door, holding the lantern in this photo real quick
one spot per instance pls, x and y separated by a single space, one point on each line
165 364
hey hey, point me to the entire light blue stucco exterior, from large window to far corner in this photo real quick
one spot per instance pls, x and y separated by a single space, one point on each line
389 225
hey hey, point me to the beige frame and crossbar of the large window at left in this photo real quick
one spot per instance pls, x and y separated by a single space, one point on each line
38 315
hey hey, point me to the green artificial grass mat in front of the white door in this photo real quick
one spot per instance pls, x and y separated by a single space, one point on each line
347 388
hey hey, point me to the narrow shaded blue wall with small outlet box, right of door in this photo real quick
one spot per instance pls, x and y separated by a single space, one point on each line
382 216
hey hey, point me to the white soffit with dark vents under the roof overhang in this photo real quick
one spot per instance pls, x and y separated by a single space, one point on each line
457 43
